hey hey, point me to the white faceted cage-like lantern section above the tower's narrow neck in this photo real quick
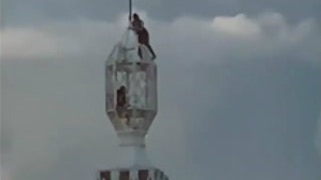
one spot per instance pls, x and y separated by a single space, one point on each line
131 85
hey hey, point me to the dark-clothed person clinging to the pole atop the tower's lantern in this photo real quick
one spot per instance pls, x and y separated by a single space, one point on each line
143 36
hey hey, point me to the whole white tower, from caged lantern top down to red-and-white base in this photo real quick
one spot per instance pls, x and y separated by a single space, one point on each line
131 105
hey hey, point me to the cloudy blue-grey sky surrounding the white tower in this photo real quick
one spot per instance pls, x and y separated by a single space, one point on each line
239 88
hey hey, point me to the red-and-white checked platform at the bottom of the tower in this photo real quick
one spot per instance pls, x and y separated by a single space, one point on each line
132 174
